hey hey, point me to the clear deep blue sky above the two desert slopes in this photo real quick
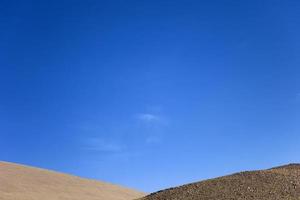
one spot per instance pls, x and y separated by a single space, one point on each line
150 94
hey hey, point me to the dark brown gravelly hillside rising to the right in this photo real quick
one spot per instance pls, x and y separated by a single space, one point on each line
280 183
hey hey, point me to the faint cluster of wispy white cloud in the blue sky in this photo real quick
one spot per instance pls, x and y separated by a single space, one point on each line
145 128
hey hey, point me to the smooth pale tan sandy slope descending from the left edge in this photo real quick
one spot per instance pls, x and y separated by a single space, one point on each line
18 182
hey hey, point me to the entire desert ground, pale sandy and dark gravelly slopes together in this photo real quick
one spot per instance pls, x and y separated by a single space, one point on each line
19 182
